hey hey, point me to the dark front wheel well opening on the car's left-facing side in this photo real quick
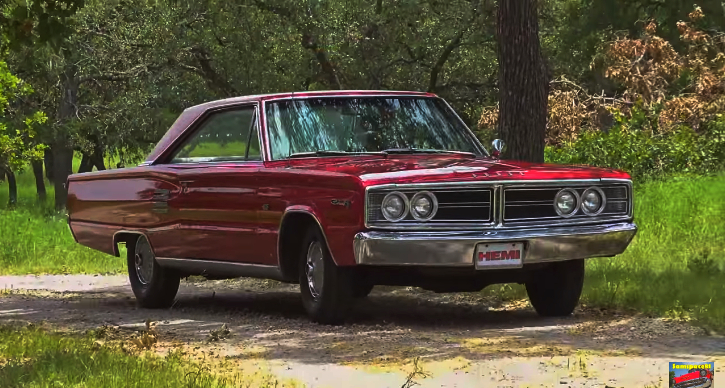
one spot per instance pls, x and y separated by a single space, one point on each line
292 232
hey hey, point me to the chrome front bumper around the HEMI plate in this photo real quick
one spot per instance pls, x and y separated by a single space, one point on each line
457 248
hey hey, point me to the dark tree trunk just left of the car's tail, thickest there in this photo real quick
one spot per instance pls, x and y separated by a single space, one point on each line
62 150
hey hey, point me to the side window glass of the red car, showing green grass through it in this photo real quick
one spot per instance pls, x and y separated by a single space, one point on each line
224 136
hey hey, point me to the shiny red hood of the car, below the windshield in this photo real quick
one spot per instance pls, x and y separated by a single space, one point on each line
443 168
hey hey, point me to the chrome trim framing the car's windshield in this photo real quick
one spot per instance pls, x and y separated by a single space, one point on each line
269 157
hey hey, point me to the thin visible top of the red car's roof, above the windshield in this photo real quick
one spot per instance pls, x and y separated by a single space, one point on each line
307 94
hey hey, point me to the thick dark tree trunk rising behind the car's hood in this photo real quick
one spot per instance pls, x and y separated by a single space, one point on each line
523 81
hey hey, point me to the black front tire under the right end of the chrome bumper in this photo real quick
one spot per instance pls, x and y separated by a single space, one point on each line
555 290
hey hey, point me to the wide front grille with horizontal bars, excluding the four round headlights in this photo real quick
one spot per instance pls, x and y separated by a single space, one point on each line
503 204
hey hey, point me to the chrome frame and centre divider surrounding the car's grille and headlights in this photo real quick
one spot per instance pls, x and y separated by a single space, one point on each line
497 207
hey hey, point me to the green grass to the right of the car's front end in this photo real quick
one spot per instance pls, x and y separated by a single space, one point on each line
675 266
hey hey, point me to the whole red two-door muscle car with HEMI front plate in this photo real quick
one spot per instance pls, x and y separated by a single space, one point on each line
341 191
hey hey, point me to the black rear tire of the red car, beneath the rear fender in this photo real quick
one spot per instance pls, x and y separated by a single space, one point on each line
157 290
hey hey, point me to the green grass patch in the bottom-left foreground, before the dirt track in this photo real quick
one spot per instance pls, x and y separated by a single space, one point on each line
35 358
